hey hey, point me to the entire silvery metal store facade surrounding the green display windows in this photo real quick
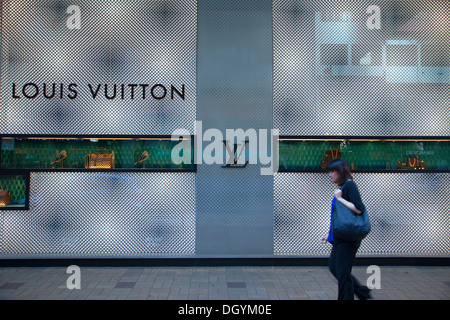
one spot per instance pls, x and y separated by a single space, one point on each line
219 212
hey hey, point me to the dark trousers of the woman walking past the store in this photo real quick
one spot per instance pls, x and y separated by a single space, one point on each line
340 264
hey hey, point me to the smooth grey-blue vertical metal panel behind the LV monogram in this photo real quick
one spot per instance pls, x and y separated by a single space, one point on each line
234 206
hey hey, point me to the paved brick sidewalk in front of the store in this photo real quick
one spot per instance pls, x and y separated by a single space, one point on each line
243 283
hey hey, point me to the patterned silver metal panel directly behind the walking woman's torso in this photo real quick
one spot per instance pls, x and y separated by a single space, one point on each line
409 212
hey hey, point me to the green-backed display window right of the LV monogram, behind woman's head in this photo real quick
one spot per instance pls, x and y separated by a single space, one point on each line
365 154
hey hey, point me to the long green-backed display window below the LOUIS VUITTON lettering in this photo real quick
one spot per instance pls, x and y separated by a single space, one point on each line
94 153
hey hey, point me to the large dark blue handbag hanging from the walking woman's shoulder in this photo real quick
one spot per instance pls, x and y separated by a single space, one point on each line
348 225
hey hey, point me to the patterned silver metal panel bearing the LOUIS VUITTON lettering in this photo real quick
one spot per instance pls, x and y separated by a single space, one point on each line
146 42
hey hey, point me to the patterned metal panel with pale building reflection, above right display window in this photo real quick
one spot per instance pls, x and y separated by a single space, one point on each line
335 76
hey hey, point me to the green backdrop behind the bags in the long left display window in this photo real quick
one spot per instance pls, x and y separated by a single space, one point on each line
40 153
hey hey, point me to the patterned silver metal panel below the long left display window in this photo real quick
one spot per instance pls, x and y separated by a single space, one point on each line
103 215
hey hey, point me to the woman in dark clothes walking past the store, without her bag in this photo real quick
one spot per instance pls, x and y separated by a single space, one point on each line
343 252
